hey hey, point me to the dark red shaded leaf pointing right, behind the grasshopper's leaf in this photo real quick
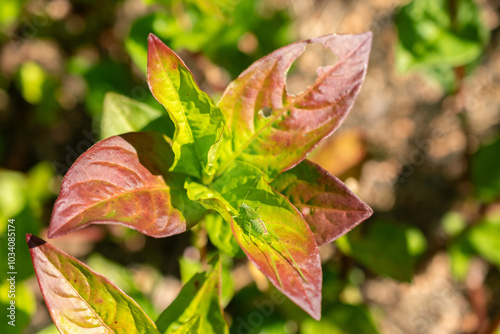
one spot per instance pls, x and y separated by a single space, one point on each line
328 206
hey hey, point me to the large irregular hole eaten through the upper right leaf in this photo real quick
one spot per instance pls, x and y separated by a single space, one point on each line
303 72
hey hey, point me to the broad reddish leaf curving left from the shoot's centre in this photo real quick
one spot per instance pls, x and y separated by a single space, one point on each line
124 180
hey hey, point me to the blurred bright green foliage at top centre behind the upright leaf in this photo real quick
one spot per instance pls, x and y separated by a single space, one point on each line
242 32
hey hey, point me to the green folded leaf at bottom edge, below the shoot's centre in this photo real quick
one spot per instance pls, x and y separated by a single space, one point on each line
199 297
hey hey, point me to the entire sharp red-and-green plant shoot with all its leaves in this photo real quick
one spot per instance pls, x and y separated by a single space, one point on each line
242 158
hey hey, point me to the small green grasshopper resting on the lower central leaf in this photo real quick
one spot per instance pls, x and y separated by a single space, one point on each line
251 222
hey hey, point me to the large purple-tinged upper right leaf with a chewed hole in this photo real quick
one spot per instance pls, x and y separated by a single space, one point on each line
274 130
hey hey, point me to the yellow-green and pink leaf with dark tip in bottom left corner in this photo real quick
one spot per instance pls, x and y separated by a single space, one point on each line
79 299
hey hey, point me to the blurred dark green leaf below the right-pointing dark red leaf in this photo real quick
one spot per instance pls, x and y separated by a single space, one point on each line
386 248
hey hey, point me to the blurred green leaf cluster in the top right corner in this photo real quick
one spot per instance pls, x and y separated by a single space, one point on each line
432 34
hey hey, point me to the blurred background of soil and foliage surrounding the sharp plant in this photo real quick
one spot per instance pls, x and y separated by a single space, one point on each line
421 146
